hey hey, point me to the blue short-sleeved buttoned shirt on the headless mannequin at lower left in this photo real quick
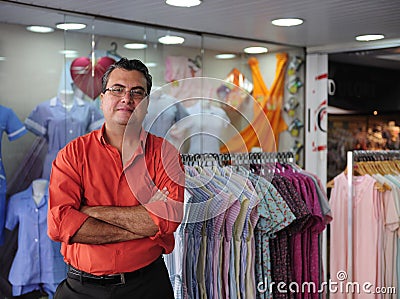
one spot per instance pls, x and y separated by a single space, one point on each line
38 259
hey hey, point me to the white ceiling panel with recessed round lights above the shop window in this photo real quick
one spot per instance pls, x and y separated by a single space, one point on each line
326 22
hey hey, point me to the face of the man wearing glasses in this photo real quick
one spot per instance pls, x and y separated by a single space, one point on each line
119 109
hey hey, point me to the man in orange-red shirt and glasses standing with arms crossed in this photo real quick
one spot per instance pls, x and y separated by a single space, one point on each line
116 198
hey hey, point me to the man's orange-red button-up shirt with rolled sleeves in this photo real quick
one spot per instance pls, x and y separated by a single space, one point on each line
88 168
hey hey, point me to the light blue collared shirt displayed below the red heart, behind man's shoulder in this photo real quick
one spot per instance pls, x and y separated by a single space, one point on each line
59 126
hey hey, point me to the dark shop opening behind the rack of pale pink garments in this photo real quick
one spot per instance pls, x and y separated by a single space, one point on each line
364 102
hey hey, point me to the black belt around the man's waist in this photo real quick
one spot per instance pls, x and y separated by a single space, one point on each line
112 279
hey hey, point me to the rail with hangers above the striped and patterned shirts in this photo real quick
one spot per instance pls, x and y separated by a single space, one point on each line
224 159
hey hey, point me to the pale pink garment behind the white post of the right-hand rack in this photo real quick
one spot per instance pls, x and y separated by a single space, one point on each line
366 217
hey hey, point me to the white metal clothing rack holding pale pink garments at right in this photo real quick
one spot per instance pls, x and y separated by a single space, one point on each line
360 156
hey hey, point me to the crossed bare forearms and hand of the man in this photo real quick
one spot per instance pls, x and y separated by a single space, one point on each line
108 224
